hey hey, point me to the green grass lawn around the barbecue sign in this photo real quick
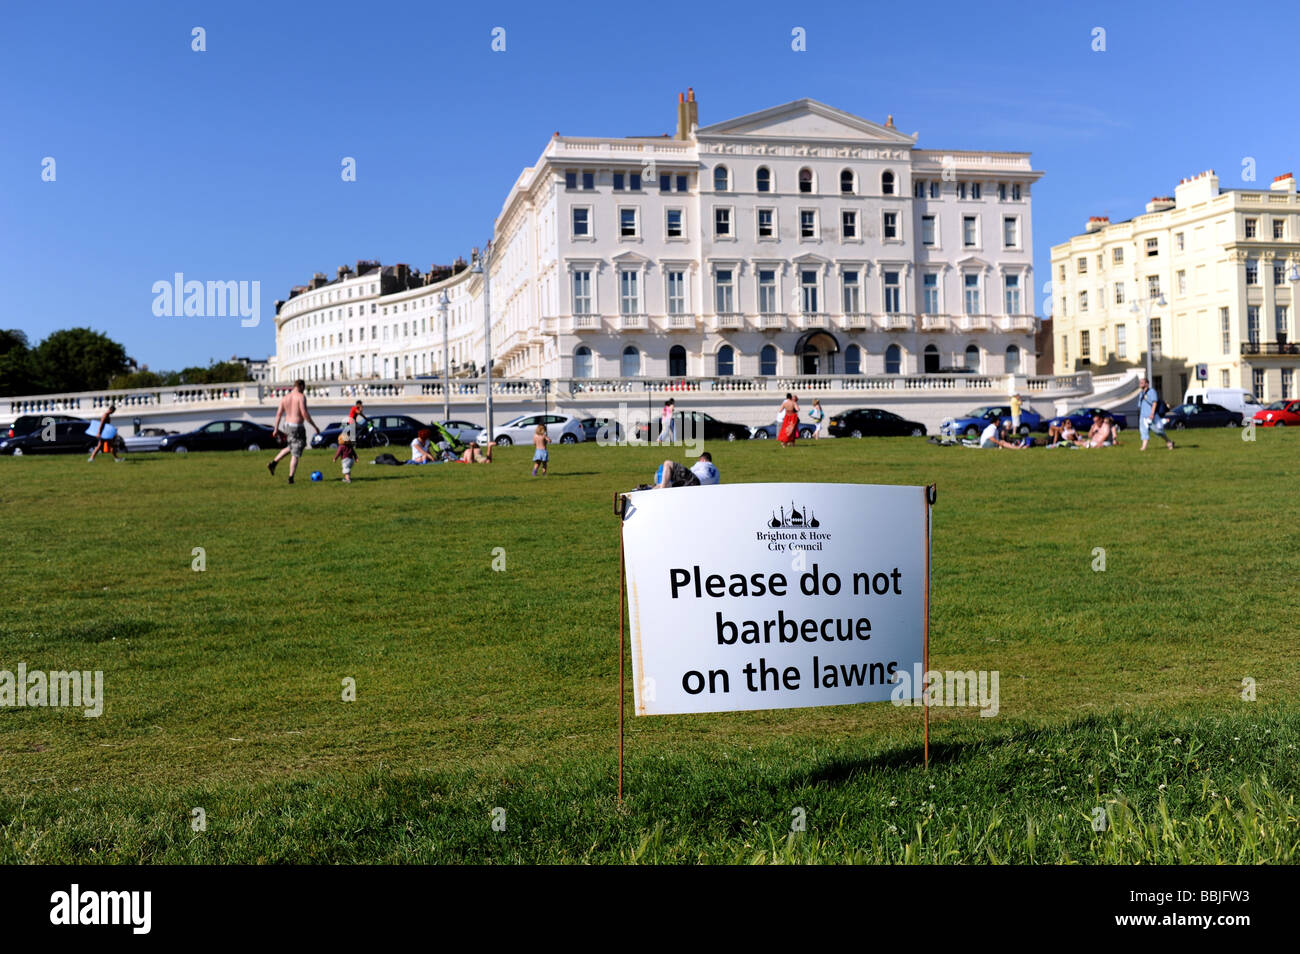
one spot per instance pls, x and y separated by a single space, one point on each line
480 690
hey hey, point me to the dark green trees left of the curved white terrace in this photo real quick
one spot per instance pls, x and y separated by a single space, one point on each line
79 359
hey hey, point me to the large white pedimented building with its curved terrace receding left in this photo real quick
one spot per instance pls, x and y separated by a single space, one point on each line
798 241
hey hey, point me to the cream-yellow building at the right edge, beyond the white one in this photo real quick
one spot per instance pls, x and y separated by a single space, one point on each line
1224 262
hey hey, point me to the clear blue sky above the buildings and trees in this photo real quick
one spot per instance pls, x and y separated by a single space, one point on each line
226 164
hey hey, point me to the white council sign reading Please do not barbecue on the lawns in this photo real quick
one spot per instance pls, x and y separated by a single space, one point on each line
774 596
